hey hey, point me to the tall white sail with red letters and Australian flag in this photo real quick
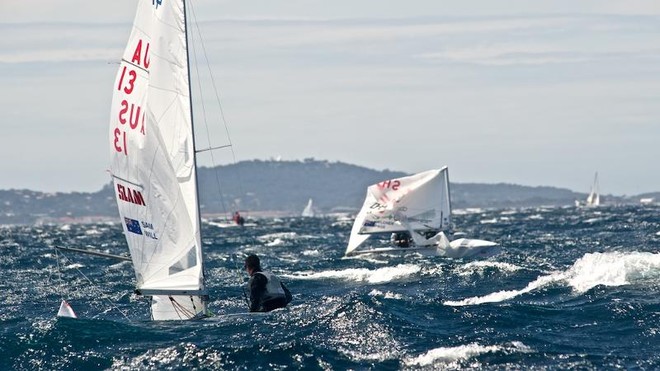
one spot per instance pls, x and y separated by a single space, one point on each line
153 162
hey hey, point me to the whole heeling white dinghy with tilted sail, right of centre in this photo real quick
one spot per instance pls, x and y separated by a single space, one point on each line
416 212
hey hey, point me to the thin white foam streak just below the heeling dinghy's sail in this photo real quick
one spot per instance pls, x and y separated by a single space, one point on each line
380 275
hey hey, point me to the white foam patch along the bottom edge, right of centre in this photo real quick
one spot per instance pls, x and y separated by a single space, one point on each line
445 355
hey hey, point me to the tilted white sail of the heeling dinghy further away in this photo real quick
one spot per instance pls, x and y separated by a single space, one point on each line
419 202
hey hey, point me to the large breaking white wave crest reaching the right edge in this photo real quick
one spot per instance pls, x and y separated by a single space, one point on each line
593 269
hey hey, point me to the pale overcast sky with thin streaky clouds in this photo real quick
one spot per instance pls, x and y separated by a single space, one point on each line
542 92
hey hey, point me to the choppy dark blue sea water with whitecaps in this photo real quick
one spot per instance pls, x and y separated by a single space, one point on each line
571 289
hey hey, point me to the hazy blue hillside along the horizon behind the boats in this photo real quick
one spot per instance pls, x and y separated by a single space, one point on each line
283 186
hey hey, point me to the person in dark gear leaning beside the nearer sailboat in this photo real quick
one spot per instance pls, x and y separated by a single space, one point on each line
266 290
